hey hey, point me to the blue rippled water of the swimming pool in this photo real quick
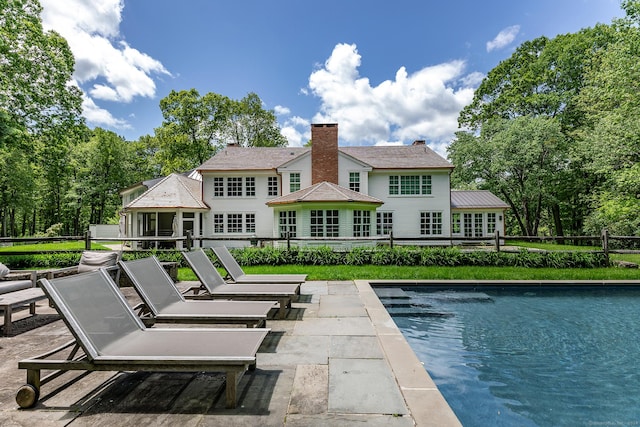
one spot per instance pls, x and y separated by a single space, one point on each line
527 356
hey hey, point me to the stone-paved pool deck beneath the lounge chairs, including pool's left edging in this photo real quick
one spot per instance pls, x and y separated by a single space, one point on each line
337 360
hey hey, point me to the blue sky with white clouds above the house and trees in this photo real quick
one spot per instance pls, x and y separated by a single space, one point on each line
386 72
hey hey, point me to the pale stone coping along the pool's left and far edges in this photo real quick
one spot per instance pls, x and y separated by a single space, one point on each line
423 398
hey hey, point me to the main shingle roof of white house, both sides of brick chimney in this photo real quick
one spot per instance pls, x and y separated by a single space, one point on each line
380 157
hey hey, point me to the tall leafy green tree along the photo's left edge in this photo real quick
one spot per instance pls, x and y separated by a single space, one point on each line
40 115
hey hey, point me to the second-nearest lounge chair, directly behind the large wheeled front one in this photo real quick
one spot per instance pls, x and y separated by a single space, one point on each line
163 302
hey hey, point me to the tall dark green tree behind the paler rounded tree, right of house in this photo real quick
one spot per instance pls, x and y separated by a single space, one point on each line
542 79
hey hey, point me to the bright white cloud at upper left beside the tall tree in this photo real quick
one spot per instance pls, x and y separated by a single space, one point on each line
107 68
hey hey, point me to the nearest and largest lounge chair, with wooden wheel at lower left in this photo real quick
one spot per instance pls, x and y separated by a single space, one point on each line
110 337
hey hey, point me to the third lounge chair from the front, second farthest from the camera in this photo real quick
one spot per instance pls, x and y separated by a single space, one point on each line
214 286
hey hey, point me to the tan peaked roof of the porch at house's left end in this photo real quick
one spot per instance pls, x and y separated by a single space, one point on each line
173 191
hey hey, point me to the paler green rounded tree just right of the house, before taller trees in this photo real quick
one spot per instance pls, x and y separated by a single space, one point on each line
518 159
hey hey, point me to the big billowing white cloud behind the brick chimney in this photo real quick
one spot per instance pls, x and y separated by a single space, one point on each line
420 105
